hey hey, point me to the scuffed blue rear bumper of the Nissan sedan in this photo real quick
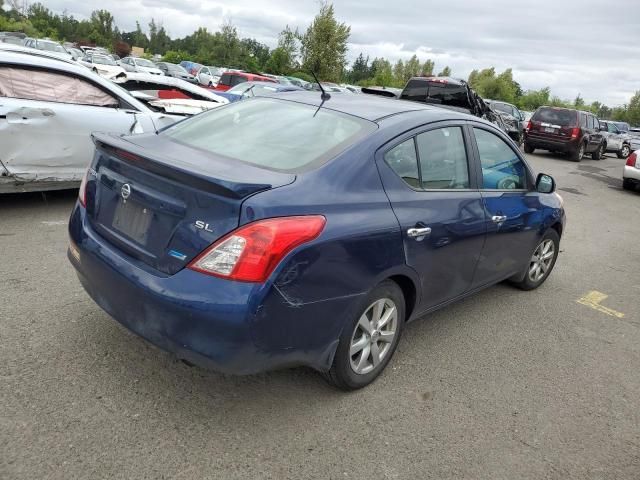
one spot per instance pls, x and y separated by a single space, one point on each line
231 327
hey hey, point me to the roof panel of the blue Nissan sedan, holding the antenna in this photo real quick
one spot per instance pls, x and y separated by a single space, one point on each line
369 107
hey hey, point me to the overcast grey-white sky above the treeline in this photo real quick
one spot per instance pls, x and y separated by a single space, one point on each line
573 46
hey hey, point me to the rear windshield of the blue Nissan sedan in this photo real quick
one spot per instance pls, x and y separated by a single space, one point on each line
278 135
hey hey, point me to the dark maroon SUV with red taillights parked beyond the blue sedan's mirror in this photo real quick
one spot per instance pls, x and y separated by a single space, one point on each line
564 130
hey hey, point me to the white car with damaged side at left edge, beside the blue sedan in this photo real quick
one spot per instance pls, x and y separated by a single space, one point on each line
48 109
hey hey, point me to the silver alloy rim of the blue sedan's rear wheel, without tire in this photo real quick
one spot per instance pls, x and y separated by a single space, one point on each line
373 336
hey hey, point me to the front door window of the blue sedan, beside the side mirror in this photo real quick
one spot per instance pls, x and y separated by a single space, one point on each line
502 169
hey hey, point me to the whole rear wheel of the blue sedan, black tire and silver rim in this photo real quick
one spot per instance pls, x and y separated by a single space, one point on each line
369 339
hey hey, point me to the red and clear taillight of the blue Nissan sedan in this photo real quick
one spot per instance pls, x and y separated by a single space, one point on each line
252 252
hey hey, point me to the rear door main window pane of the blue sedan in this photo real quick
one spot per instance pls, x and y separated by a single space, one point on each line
443 159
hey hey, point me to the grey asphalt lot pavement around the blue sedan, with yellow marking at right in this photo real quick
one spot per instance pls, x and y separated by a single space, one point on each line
503 385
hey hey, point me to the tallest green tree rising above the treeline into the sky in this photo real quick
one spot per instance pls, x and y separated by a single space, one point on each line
324 45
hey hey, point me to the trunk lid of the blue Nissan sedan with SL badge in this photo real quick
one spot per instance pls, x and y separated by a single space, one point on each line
162 202
